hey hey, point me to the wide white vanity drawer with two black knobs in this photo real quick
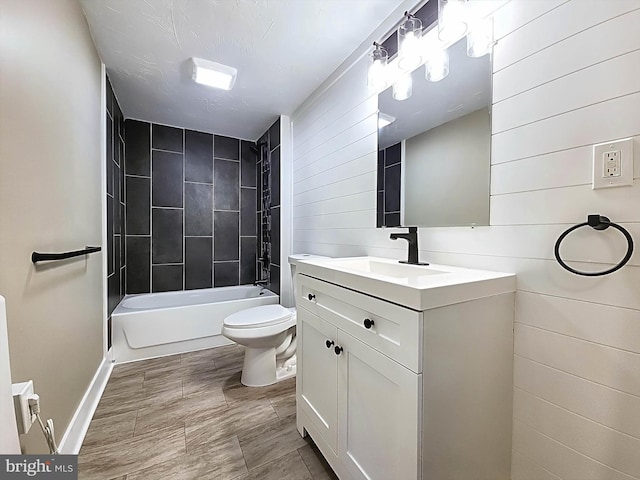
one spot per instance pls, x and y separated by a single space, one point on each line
391 329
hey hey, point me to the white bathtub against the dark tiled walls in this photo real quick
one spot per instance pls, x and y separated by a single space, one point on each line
157 324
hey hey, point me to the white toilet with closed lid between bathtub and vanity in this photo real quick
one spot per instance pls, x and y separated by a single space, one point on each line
268 334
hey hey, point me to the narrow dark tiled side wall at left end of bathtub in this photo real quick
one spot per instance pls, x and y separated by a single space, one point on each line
116 206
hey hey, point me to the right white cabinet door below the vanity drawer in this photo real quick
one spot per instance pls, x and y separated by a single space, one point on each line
378 414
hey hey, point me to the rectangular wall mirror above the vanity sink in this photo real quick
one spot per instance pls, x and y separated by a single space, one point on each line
434 157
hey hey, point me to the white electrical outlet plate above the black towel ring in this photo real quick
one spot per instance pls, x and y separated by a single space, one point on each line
613 164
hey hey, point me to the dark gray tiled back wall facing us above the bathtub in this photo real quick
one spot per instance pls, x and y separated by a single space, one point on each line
188 225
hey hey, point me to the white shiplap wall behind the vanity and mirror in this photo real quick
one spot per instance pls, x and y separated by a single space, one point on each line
566 76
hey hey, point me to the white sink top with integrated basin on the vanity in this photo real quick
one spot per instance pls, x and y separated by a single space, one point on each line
415 286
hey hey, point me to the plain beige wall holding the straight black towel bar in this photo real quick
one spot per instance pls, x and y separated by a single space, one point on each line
51 193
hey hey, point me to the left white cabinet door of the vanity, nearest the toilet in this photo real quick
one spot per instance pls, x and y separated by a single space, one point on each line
318 374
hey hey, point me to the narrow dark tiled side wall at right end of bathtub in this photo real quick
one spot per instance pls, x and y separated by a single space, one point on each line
268 213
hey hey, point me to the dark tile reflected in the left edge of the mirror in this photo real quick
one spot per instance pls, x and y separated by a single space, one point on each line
389 184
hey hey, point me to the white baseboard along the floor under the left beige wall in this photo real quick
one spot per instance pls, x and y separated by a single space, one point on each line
79 424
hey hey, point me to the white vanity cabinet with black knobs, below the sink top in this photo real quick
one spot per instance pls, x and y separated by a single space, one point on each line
391 393
